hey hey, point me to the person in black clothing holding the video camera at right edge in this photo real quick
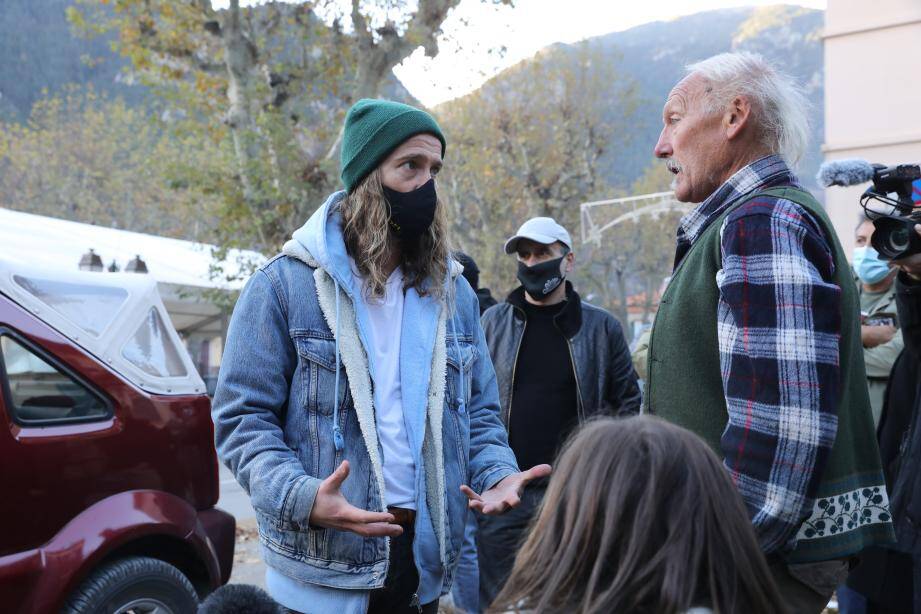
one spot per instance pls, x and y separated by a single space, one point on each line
890 578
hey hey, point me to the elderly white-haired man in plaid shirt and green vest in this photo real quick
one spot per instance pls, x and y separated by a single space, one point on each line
756 345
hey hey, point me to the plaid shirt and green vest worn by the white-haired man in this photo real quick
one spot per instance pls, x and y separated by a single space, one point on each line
756 348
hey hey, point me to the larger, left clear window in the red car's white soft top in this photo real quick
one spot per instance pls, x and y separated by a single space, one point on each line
92 308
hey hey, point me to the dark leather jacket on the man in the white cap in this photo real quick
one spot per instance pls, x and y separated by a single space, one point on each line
604 371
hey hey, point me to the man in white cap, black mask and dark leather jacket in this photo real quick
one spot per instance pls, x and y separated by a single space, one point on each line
559 361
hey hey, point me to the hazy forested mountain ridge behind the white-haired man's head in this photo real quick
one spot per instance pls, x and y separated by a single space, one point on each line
654 56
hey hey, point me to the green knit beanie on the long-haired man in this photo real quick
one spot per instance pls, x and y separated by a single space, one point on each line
373 129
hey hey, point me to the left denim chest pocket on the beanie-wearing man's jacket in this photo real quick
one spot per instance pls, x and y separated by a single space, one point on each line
317 373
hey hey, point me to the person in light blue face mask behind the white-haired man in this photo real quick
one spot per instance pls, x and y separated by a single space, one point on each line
879 333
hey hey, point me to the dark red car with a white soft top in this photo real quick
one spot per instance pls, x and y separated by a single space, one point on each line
109 474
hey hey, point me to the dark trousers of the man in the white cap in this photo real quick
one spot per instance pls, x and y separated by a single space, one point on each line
498 540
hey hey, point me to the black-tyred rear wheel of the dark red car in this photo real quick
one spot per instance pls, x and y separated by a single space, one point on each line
136 585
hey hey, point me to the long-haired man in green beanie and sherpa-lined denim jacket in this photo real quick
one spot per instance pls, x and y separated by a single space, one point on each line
357 404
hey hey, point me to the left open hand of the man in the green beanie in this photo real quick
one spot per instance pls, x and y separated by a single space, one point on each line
332 511
